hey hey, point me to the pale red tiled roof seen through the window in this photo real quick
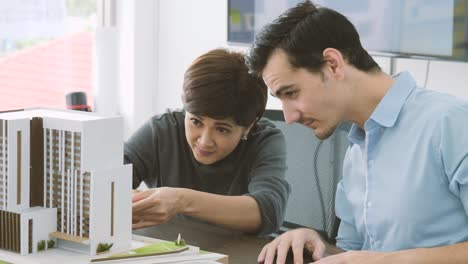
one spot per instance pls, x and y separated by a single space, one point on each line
40 76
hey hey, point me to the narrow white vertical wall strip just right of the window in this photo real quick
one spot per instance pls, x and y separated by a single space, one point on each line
137 30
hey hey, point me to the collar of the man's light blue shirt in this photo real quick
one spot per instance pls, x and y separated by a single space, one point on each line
387 111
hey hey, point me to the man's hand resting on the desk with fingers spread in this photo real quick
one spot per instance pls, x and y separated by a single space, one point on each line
298 240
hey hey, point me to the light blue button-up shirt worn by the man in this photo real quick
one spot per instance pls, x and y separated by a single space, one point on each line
405 176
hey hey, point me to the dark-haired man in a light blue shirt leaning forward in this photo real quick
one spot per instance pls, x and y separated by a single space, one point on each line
404 193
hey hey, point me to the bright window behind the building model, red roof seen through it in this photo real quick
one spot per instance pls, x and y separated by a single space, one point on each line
45 51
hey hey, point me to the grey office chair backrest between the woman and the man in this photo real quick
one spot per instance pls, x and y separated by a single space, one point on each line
314 170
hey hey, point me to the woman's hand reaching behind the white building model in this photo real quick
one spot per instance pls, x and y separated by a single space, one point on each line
155 206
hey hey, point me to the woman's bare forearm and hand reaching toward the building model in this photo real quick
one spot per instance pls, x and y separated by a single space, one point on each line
158 205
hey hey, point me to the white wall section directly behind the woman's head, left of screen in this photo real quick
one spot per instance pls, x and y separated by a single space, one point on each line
187 29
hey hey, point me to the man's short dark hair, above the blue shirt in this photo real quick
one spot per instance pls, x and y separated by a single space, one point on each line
303 32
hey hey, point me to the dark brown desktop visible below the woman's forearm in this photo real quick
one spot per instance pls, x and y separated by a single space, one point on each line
241 248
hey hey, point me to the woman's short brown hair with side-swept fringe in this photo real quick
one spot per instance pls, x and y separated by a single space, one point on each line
218 85
